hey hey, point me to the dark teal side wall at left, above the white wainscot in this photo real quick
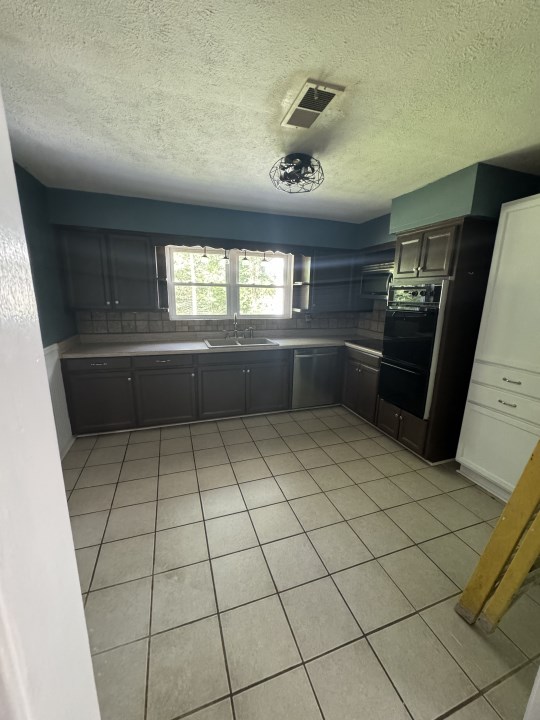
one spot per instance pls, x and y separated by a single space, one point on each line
56 321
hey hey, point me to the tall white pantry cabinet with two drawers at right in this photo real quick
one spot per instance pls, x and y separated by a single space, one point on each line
501 424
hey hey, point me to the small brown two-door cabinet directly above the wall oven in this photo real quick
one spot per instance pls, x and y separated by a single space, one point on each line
425 254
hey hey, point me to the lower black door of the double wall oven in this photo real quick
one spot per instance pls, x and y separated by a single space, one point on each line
404 386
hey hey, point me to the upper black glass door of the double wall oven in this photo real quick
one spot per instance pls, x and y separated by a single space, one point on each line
409 336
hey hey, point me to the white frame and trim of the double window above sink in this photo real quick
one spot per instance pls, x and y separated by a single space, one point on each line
232 285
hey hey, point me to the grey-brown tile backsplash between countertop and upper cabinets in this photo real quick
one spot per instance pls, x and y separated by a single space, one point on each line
103 322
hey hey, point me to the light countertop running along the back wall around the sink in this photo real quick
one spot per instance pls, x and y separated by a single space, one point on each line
129 349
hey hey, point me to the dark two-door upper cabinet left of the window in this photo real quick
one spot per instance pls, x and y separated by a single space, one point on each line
110 271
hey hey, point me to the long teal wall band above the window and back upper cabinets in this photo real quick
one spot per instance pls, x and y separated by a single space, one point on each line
72 207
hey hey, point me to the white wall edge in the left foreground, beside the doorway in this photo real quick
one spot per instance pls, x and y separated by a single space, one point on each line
45 666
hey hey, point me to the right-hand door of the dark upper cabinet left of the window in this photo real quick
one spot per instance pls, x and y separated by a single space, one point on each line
133 272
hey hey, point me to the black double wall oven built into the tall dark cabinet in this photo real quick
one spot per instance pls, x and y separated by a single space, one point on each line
412 329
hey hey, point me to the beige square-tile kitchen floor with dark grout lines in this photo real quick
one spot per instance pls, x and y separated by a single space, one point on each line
297 566
